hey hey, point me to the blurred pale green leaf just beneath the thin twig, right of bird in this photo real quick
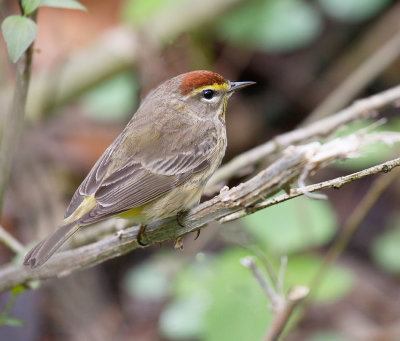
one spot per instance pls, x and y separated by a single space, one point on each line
292 226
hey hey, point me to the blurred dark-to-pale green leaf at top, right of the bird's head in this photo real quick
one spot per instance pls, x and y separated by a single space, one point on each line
272 25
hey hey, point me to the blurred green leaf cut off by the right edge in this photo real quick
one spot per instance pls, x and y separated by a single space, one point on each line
386 247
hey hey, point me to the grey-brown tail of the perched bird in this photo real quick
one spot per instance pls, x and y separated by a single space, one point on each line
39 254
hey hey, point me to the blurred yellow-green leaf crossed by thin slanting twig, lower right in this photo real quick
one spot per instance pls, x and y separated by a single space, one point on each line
336 283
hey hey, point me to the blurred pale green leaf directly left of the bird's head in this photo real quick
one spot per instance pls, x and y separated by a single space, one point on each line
114 99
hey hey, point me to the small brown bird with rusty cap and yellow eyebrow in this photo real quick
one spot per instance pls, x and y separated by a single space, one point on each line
160 163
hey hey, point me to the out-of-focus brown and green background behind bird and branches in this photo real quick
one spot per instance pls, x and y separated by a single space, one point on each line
309 59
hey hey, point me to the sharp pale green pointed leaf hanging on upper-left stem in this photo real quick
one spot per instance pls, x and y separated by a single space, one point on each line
19 33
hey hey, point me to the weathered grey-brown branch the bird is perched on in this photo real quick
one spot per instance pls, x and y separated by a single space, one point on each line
239 201
